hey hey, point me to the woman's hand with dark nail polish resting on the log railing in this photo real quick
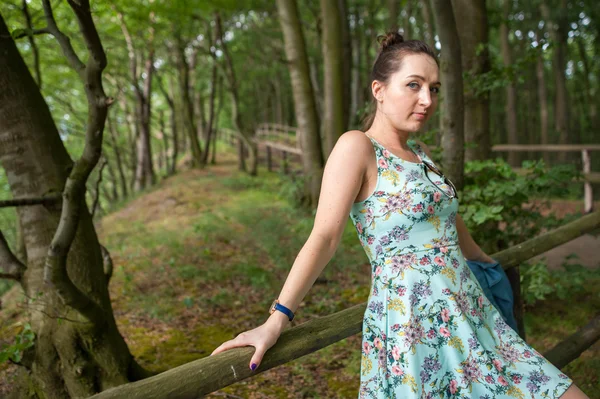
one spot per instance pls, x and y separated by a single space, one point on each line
262 338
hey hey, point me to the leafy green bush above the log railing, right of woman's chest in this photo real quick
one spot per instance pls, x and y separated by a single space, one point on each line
502 207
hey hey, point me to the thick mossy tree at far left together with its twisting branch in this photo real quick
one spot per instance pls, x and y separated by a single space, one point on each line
77 349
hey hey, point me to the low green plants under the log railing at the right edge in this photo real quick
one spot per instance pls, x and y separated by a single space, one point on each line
538 282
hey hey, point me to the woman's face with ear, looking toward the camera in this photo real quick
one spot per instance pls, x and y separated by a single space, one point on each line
411 96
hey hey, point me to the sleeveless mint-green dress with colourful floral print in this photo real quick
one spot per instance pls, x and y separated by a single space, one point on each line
428 330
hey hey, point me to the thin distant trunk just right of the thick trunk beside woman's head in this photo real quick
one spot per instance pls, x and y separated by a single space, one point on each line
511 93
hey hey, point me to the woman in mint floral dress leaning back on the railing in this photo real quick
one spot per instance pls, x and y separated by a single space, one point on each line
428 331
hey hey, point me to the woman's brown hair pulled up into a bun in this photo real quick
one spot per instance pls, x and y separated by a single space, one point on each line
389 59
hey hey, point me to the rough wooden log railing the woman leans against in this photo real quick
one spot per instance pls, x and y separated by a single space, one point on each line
212 373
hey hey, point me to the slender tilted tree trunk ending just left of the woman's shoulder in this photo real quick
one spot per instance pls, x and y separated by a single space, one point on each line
304 100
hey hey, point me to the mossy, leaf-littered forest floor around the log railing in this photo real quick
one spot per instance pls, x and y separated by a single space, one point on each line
199 257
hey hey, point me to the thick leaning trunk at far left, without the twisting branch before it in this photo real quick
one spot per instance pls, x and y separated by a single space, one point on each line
71 357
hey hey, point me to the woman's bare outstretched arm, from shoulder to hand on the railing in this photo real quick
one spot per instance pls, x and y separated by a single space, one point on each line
342 179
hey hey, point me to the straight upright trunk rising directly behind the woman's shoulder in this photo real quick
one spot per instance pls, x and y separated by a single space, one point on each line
333 113
